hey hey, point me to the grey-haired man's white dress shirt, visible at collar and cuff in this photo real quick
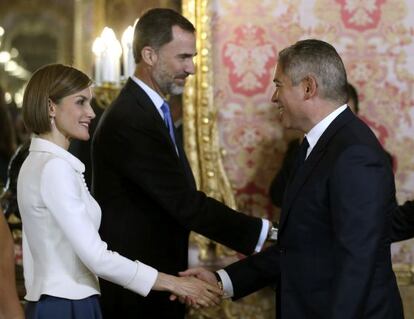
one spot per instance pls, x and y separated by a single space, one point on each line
313 137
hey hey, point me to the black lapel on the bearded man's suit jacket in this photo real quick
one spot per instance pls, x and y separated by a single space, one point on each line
148 106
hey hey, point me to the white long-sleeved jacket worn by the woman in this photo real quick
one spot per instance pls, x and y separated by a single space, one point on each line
62 250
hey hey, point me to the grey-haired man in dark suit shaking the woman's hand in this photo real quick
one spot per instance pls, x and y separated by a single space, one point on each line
332 259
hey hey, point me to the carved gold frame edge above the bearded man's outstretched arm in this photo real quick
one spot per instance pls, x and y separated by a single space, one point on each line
200 113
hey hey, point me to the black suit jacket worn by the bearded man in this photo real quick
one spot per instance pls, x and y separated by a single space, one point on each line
150 204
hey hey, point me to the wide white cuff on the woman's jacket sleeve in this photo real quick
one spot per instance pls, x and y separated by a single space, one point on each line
143 280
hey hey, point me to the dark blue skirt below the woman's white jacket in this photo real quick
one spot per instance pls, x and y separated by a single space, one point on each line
49 307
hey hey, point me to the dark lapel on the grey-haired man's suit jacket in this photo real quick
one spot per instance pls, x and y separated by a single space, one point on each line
296 182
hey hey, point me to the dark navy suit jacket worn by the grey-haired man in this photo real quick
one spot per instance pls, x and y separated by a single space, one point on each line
332 259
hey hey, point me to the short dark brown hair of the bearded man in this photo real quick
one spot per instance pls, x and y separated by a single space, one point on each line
154 29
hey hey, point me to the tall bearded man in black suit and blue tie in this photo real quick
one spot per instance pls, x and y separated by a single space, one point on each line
141 176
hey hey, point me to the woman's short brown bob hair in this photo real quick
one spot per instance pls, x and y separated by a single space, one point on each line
54 82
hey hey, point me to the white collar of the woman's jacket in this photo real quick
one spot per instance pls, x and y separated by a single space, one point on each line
41 145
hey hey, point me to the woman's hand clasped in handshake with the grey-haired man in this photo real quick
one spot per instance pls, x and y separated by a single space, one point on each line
194 291
